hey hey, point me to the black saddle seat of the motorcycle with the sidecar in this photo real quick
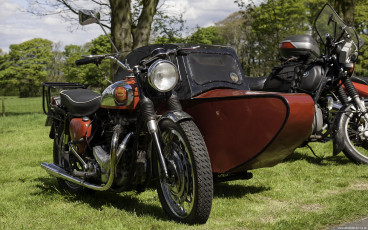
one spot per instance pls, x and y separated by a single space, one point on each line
80 102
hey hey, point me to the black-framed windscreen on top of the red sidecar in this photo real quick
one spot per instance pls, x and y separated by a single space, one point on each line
206 68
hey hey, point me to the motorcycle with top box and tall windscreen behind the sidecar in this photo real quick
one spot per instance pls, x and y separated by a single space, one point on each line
340 112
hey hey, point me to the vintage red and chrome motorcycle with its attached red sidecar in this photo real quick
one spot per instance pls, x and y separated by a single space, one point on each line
128 137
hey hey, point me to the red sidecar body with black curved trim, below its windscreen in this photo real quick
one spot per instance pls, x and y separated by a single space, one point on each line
246 130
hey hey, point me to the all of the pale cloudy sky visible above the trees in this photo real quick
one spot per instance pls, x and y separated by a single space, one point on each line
17 26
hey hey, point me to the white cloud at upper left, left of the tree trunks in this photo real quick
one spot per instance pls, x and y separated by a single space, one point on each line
17 26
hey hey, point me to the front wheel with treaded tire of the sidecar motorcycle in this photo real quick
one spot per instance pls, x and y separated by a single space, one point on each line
187 196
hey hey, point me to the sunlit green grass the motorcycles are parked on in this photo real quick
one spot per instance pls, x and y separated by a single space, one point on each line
302 193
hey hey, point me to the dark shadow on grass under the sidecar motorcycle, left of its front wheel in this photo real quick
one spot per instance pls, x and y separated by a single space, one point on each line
98 200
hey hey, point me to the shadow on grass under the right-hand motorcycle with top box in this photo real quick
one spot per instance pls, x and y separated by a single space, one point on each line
340 159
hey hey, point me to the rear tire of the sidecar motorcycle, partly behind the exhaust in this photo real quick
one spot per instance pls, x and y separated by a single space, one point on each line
58 148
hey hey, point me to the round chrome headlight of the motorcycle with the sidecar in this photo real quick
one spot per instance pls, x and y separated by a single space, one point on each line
163 75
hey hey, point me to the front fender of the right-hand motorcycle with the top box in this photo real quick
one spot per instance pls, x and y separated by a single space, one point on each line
338 140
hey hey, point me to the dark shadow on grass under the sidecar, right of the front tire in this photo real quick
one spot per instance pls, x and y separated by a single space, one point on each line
224 190
